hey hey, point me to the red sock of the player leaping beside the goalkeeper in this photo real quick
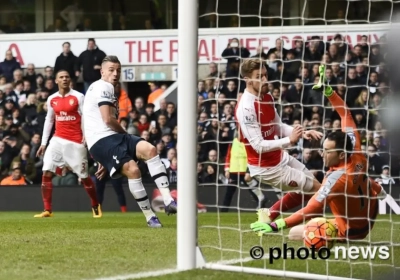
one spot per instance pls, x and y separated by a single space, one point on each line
287 202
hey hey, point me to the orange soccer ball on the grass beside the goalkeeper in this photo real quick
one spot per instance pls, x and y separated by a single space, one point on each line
320 233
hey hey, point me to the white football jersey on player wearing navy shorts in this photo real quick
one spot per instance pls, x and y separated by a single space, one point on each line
99 93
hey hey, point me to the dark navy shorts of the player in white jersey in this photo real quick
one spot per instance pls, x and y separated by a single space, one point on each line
114 151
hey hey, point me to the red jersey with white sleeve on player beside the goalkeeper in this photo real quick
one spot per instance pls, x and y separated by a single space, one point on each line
257 118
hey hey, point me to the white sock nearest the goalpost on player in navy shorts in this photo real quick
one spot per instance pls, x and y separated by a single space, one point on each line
159 174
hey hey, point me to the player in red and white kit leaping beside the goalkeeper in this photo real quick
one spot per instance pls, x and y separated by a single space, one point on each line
265 138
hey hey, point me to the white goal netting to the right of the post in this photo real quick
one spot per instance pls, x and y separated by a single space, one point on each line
348 36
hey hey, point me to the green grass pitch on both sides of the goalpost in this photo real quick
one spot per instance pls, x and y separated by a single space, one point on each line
76 246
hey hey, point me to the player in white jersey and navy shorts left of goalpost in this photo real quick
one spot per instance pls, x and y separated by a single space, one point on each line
117 151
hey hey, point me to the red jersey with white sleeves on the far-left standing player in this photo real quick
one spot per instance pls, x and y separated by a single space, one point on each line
66 112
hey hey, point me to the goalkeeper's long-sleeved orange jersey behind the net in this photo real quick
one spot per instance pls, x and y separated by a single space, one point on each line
350 194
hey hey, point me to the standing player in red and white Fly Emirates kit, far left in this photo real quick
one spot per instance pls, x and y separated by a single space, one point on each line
66 147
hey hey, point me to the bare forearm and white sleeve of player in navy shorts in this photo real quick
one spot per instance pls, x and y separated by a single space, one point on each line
106 106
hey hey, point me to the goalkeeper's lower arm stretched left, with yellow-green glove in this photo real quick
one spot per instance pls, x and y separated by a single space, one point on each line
314 207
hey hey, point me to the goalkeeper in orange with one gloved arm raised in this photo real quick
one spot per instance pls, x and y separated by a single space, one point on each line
350 194
